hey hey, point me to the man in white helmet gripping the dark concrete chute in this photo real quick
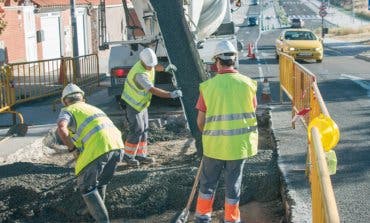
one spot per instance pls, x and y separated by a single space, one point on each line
137 93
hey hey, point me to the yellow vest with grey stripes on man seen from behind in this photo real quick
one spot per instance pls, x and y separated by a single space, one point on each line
230 131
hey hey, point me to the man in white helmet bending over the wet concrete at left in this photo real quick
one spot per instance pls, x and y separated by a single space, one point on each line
96 144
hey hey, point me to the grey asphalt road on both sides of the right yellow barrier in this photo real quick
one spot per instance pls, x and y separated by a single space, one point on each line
344 83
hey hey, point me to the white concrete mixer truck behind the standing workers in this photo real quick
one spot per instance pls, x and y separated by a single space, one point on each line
209 21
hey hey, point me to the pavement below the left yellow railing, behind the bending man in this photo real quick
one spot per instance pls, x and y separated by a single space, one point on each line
41 119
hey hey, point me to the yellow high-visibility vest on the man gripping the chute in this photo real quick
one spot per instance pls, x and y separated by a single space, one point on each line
137 98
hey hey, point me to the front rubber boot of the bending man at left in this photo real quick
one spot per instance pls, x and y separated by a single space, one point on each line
96 206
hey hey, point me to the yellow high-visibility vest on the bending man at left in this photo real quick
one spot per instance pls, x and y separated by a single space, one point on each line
95 134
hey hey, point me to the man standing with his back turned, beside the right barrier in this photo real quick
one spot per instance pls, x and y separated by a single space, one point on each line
226 117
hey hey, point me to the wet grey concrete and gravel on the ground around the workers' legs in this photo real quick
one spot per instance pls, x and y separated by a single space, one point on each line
41 187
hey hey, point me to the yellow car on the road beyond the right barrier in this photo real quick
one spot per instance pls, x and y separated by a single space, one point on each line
300 44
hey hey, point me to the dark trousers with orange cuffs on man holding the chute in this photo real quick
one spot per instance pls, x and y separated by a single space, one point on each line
138 124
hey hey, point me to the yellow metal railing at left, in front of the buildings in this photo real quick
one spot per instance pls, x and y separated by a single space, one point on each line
28 81
